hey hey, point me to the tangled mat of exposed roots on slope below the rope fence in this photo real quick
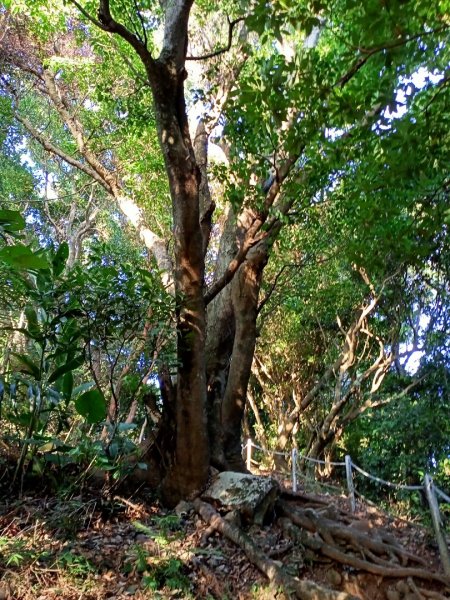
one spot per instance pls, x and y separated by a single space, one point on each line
332 539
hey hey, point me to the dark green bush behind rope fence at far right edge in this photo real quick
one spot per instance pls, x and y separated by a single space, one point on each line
381 441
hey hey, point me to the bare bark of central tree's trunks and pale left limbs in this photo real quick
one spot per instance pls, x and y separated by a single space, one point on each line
209 394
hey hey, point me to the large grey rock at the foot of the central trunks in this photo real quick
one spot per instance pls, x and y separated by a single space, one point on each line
254 497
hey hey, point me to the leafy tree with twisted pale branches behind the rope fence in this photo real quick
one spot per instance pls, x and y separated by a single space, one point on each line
406 256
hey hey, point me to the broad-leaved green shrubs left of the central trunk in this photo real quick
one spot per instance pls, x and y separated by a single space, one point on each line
44 387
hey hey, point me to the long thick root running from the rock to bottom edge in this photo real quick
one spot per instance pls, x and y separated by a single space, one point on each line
305 590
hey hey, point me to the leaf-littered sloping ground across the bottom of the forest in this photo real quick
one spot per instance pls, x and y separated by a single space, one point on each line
86 547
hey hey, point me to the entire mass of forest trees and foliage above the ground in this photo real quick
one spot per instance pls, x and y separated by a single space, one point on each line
219 222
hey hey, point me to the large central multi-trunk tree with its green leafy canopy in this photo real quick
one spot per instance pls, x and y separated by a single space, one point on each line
305 95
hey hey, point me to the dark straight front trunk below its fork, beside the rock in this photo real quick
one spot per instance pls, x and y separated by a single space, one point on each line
189 471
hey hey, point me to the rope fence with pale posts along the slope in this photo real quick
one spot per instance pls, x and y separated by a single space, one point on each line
429 489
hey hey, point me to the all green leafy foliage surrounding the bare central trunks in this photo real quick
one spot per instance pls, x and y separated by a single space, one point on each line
344 107
